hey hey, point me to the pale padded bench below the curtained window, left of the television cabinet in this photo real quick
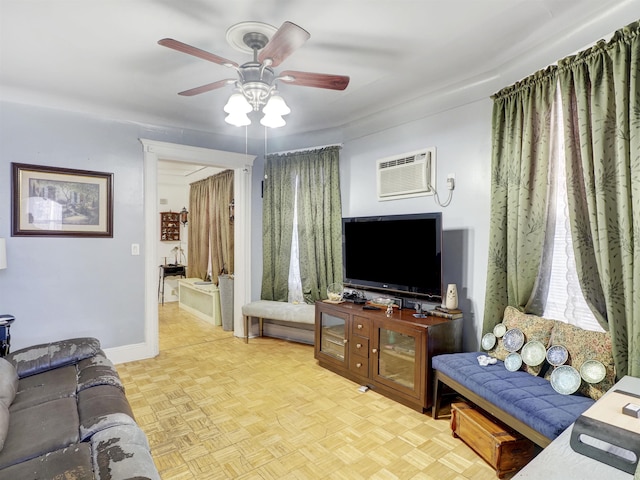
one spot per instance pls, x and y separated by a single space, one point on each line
282 311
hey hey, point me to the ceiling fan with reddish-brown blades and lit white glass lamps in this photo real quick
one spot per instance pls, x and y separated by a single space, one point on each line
256 80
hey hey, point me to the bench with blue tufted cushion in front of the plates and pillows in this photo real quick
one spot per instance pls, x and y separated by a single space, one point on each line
526 403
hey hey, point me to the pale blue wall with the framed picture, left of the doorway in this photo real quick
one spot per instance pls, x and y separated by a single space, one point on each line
70 287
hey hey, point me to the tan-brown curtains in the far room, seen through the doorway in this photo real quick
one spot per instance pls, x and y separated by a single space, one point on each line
210 227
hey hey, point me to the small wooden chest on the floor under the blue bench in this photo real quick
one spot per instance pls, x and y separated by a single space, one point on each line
506 451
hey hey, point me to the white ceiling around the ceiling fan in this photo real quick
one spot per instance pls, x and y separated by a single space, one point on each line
101 56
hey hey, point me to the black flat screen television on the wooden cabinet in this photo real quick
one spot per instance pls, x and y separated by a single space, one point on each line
399 254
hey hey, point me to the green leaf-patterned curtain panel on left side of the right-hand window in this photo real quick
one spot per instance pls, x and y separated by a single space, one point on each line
520 190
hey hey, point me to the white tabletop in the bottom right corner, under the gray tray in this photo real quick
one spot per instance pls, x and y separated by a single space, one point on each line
559 461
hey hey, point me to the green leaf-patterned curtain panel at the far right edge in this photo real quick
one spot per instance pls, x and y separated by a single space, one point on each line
601 107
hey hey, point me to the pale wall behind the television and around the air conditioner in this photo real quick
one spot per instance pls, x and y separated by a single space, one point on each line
462 139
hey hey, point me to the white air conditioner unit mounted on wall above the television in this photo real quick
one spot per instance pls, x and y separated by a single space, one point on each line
410 174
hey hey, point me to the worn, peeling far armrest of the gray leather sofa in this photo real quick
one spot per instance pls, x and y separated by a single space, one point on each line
46 356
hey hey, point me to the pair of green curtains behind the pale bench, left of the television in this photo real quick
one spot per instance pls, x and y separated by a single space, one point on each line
316 176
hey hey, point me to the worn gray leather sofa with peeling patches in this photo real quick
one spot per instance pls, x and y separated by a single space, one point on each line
64 414
